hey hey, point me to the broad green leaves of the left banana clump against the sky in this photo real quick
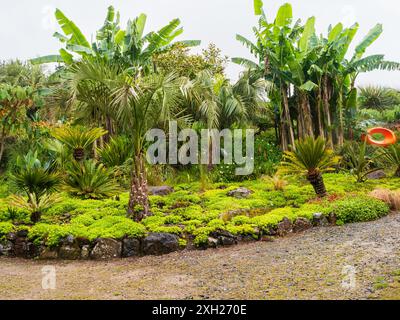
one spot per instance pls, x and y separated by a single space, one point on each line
130 46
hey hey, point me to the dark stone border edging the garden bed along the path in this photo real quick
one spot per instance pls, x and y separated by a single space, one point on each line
18 245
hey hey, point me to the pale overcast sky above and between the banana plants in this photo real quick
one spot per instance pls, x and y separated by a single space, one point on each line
26 26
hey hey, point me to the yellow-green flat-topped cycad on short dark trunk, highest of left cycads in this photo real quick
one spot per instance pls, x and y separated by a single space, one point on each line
78 138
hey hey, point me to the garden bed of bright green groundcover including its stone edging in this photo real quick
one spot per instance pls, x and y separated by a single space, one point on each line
187 218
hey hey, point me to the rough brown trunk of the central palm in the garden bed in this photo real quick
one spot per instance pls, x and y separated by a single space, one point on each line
138 206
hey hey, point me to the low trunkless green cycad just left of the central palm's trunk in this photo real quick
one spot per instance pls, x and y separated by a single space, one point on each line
90 180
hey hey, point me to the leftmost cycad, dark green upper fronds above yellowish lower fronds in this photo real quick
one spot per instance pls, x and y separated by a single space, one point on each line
37 181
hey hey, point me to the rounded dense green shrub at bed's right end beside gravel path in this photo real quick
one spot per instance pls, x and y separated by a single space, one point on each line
358 209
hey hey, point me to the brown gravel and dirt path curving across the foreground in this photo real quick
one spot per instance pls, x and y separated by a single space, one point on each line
305 266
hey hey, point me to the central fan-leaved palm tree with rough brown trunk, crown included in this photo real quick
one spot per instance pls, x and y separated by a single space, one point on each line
142 104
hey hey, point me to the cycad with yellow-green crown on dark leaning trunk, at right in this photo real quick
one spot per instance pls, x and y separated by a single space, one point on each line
310 157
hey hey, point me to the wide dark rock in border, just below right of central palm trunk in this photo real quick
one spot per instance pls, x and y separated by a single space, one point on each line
160 243
